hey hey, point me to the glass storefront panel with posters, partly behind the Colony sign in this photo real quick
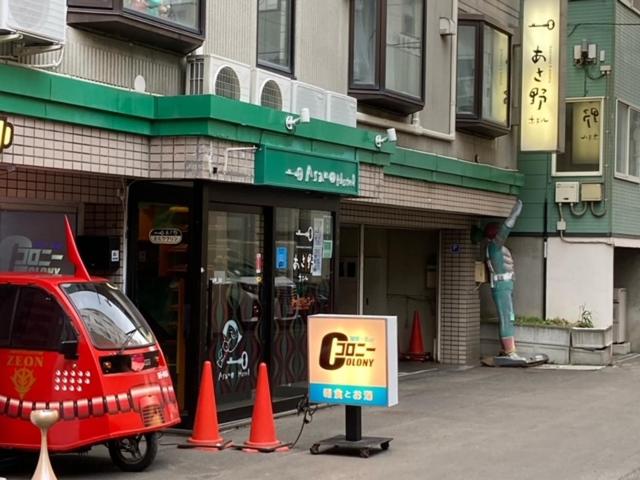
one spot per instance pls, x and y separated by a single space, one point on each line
303 253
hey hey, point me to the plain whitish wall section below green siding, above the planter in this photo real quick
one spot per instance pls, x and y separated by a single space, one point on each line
580 274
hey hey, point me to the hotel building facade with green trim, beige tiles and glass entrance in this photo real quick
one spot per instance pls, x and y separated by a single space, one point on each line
175 134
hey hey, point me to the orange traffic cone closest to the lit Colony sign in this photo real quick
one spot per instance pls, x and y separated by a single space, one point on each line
262 437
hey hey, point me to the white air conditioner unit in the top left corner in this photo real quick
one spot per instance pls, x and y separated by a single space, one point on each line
39 21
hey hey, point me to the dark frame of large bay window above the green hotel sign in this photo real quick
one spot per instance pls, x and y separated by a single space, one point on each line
377 94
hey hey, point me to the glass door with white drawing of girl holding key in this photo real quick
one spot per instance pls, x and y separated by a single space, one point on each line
235 241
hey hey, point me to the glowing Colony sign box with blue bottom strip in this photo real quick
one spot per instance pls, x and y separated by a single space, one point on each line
353 360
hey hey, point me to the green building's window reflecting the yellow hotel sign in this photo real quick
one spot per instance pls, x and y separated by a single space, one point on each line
583 139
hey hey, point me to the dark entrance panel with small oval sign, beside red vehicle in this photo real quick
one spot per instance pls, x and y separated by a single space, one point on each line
161 278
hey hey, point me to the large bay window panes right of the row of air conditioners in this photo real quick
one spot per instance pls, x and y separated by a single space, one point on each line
387 54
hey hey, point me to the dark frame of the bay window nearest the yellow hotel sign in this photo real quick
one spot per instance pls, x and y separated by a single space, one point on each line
475 123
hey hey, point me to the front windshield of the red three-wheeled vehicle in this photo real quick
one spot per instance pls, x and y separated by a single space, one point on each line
111 319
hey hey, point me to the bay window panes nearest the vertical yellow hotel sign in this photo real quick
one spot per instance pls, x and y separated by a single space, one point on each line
483 78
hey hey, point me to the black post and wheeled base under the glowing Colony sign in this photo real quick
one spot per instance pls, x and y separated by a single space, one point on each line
353 440
